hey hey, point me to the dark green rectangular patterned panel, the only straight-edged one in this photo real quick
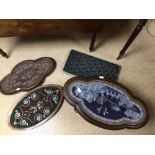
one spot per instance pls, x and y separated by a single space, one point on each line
83 65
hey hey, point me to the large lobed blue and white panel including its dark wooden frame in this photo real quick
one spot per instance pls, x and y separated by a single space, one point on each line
105 104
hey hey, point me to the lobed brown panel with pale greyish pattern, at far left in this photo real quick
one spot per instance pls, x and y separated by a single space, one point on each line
27 75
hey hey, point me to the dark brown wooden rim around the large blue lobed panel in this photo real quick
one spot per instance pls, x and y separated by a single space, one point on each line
95 122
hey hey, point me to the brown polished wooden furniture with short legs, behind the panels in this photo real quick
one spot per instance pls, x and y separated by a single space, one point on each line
44 27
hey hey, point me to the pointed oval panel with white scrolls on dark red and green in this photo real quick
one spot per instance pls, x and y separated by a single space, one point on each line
37 107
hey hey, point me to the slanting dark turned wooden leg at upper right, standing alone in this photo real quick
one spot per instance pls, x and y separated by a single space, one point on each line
134 34
